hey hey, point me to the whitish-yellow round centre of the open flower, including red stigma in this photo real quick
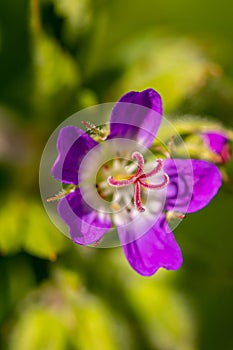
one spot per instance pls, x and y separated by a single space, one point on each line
113 179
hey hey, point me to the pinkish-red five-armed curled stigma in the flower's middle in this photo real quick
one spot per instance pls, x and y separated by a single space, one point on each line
139 179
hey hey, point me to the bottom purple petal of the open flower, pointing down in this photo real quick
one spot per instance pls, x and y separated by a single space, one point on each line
155 249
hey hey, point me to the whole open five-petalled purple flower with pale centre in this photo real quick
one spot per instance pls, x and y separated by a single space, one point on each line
116 183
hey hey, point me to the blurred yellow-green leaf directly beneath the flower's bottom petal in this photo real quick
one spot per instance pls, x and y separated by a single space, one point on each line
163 311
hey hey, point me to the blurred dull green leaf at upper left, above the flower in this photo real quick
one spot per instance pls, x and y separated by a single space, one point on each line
56 76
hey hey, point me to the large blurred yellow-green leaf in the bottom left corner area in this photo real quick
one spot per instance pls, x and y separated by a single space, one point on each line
62 315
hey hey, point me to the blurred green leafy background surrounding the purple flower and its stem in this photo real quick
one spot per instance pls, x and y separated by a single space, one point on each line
57 57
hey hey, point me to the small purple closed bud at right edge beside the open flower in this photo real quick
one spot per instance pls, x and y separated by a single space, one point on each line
217 142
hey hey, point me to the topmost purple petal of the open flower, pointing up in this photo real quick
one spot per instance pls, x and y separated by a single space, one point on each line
130 121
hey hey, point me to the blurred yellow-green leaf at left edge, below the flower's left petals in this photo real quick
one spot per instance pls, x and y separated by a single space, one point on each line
24 225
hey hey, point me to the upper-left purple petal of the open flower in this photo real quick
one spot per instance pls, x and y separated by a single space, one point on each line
72 145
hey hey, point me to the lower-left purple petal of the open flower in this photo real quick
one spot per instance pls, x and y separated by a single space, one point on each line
86 225
